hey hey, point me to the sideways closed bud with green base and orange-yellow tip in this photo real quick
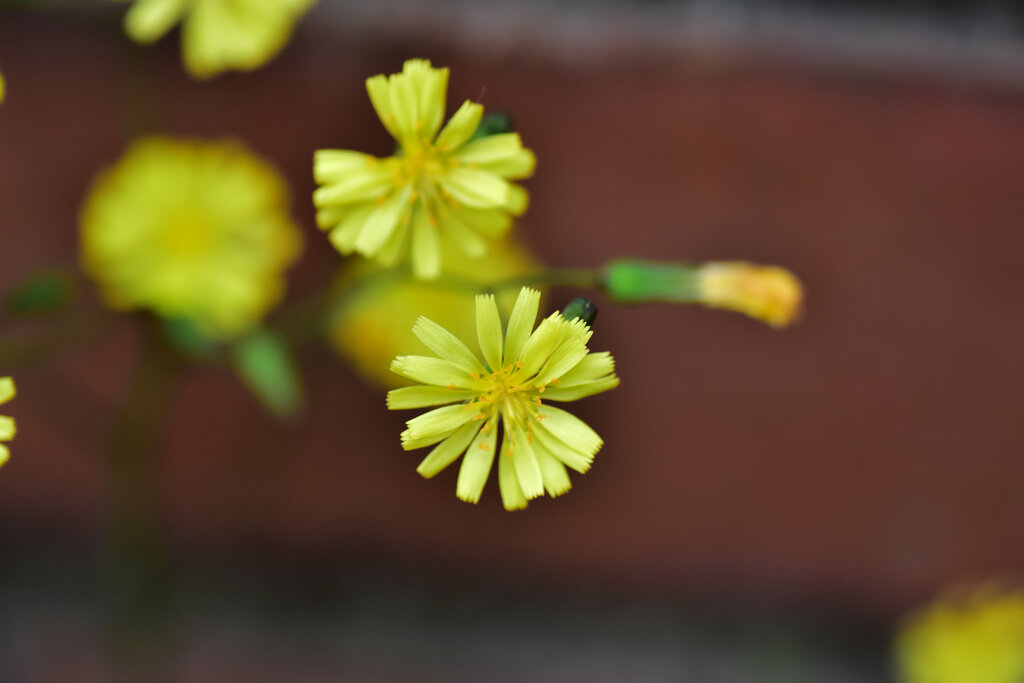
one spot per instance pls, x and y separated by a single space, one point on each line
771 294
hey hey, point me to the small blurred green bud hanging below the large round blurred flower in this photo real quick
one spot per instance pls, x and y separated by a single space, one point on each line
265 364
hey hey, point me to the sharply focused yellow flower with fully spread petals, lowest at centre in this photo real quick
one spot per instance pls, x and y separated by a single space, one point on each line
507 391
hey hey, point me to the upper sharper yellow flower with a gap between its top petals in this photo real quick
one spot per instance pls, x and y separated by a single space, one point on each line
439 184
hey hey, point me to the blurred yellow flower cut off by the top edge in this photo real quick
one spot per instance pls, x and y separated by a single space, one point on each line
218 35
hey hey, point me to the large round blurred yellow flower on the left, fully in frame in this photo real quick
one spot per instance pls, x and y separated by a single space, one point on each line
191 230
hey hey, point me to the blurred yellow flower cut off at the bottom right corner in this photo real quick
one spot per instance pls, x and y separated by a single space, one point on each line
975 637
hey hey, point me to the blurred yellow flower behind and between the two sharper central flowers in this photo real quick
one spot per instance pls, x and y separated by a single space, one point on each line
377 308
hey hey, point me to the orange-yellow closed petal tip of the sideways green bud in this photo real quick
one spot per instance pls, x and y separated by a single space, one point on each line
766 293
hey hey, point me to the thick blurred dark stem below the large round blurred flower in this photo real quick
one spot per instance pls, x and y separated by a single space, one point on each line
137 564
